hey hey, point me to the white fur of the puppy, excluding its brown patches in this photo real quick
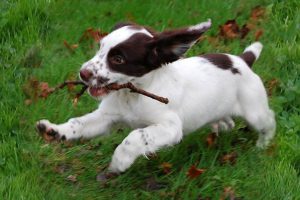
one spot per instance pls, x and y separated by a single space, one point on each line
199 93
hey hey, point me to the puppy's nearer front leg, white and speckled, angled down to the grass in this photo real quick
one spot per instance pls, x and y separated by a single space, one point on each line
146 140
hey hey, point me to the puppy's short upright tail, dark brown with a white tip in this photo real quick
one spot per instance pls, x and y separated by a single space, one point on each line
251 53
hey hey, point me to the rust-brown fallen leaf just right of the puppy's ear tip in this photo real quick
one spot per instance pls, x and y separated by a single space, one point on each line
229 30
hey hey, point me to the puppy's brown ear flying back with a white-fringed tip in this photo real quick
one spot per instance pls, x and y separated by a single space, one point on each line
169 46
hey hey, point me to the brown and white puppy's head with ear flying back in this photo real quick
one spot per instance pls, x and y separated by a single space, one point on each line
131 51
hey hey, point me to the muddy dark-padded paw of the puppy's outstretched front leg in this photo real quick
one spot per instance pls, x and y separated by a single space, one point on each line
48 131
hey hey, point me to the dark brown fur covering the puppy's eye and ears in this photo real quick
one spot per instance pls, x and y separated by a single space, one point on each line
142 53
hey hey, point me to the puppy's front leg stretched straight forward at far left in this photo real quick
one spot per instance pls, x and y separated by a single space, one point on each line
87 126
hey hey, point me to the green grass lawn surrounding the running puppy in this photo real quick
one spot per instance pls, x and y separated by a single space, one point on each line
32 34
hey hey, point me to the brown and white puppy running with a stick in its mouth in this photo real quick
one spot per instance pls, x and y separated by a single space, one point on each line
205 89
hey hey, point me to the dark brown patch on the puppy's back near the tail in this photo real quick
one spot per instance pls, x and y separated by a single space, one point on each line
222 61
